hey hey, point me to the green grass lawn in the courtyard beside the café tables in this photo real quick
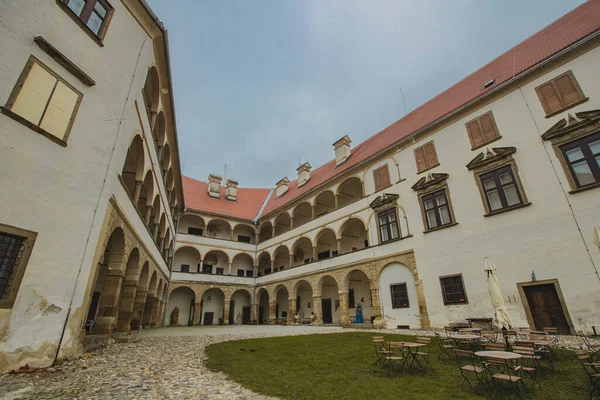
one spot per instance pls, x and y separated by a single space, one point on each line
340 366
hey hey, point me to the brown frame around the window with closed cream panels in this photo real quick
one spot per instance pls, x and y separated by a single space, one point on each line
12 98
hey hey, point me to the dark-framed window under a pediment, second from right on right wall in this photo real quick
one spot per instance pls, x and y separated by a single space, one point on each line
501 190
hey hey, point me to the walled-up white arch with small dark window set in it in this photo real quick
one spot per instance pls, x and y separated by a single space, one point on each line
398 296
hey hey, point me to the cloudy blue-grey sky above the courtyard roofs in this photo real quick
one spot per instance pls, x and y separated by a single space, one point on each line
260 85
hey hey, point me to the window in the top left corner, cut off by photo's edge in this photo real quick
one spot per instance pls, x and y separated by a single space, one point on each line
94 15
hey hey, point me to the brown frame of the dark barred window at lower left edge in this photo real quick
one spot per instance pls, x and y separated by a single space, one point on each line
20 264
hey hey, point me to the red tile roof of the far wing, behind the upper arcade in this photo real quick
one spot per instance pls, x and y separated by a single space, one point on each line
247 206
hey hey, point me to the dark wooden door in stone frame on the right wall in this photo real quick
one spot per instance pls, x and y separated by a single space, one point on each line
546 308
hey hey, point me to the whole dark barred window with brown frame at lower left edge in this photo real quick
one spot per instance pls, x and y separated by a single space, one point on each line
15 248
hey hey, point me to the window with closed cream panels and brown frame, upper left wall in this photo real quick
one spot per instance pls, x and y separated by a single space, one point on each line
43 102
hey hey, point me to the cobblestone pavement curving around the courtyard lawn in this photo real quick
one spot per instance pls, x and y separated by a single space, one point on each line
166 364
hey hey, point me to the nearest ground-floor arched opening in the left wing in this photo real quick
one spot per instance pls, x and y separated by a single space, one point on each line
105 295
